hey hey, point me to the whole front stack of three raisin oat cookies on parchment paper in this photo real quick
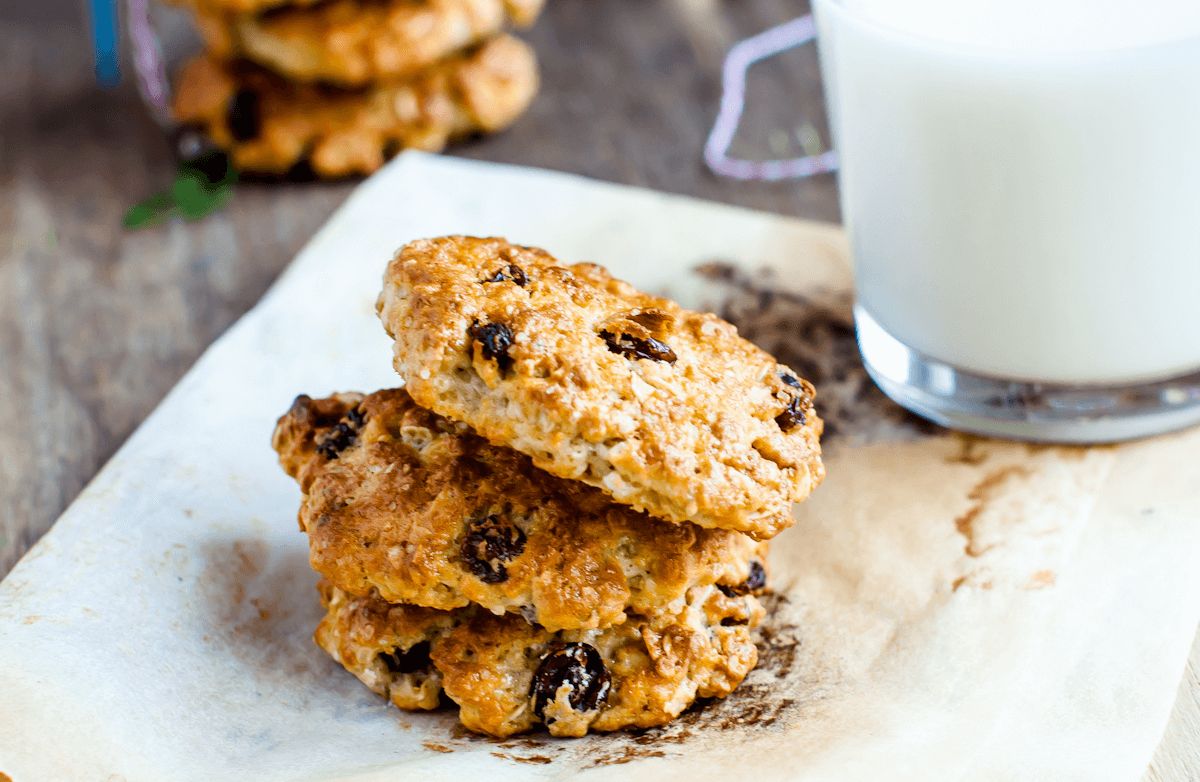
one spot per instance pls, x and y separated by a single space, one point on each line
561 519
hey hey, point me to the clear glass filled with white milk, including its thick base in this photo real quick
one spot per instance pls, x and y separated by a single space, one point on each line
1021 182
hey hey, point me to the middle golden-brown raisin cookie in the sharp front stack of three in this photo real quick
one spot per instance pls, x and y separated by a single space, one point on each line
401 502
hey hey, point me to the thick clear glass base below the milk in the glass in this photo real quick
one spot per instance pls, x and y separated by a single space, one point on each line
1041 412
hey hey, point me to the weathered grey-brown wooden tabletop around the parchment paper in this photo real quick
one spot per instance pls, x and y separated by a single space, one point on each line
98 324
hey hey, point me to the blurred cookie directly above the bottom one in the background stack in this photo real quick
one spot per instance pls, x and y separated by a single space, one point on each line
357 43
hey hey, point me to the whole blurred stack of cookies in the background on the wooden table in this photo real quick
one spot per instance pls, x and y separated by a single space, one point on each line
301 88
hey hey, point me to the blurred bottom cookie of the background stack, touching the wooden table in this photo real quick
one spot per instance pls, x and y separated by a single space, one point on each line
271 127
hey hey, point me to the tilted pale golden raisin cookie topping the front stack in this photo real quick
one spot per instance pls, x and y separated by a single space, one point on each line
668 411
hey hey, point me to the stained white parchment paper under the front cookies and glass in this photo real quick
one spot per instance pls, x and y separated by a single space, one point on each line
950 609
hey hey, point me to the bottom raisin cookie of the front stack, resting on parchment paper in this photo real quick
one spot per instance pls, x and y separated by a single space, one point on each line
508 676
